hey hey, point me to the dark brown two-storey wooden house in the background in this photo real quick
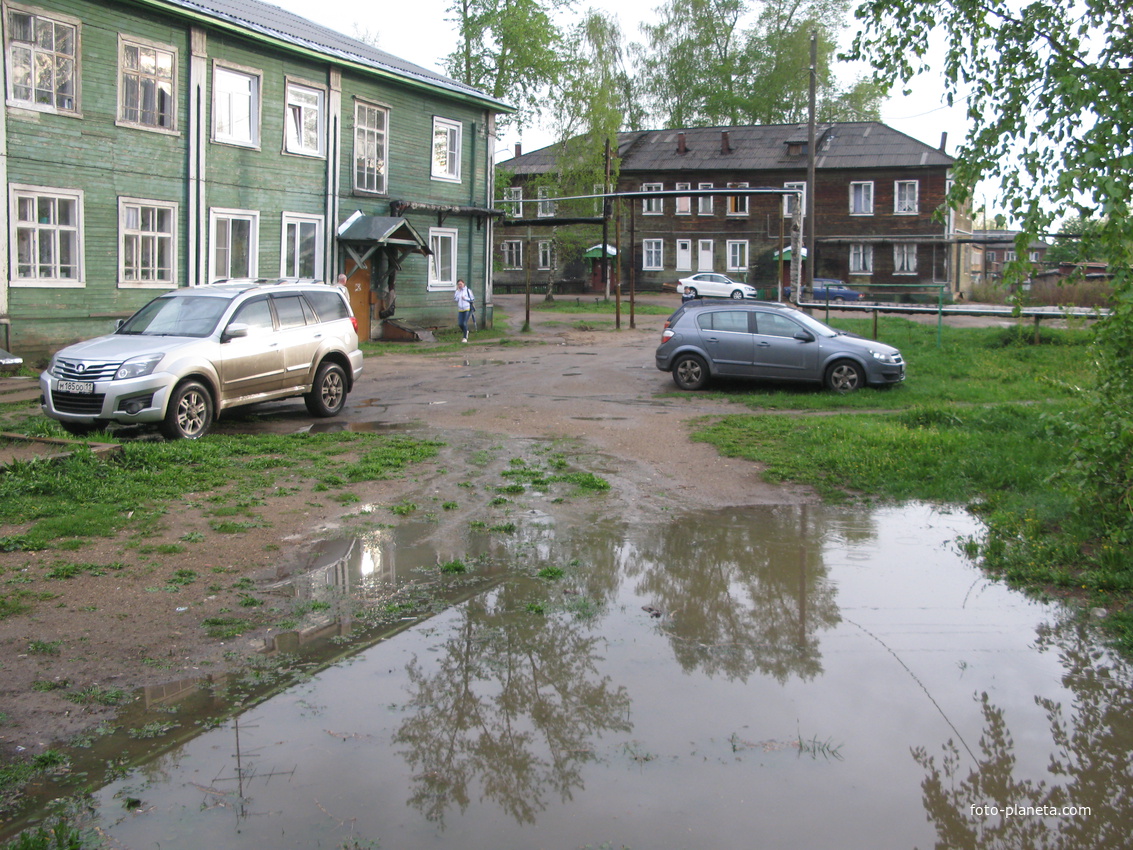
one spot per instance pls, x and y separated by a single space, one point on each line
876 195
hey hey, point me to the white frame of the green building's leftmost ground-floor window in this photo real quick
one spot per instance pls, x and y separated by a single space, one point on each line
38 233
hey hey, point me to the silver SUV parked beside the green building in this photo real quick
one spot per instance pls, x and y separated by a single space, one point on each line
191 354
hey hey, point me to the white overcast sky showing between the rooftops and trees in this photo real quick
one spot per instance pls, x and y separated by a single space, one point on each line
419 31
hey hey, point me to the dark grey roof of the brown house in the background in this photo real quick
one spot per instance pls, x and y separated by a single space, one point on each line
765 148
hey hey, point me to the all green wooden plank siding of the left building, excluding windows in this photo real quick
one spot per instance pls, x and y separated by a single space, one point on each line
107 161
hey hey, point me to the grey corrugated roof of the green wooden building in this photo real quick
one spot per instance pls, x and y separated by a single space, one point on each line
279 24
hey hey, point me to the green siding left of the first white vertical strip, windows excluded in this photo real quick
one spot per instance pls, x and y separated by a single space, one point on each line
104 160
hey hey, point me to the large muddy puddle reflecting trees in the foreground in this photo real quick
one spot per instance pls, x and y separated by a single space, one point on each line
803 677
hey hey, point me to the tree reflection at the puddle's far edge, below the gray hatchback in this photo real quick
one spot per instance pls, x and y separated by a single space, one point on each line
740 596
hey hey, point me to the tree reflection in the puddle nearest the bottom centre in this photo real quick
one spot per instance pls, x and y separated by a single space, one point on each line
513 705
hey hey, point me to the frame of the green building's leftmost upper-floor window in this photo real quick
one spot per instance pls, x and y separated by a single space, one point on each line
62 103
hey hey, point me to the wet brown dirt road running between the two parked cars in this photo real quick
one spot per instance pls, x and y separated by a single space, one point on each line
597 390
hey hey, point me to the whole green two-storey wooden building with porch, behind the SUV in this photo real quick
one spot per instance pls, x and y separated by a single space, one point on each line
154 144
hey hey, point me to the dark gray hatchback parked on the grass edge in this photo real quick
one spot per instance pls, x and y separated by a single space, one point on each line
770 342
